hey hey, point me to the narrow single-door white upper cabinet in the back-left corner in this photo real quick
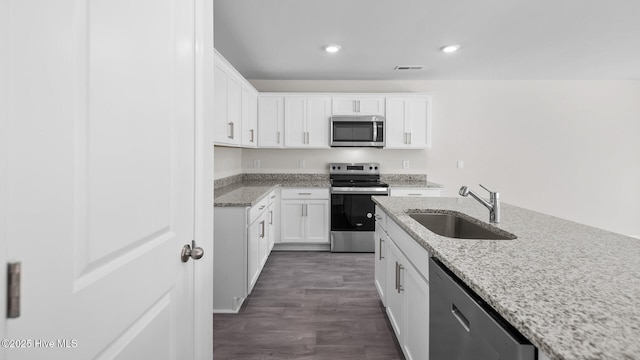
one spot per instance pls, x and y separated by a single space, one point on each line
270 121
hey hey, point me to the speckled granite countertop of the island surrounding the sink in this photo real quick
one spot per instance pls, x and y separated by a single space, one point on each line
571 289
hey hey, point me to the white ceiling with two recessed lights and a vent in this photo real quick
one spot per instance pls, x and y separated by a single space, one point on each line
501 39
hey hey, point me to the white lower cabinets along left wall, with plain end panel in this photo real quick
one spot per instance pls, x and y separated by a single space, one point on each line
242 244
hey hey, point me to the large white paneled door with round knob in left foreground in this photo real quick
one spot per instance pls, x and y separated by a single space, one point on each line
98 149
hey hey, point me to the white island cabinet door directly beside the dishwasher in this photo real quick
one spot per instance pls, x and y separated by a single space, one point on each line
416 334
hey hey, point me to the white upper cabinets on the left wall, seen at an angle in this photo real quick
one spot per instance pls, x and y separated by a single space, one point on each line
235 106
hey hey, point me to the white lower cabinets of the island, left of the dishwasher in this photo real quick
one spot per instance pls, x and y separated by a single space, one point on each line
404 289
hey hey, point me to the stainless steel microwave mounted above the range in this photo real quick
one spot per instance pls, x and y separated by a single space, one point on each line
357 130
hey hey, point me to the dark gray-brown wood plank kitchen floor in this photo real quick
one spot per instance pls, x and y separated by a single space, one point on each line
309 305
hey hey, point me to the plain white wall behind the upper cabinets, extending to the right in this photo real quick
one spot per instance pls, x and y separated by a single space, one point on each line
566 148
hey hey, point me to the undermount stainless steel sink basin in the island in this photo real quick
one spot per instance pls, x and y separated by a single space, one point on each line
456 226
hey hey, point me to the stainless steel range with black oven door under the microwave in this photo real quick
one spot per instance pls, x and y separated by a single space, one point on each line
352 210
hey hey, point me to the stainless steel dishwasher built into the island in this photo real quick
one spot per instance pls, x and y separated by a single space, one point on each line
462 326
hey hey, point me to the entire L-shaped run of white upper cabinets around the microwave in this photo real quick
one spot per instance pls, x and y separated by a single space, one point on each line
245 118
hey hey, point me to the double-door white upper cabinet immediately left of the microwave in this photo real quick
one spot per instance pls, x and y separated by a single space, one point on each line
306 121
